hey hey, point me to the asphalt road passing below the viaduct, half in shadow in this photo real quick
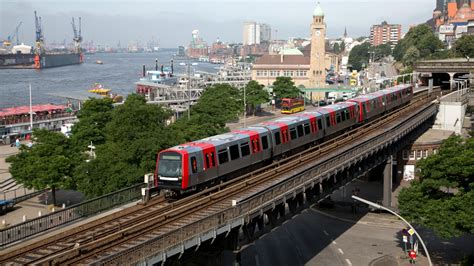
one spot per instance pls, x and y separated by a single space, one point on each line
312 238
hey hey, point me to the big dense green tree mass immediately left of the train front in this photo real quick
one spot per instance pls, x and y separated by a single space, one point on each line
133 136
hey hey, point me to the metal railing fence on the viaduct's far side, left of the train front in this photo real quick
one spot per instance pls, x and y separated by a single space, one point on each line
67 215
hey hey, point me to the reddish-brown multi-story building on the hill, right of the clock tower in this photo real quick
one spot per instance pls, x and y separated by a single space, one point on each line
385 33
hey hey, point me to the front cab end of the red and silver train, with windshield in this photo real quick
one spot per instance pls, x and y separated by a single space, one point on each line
171 172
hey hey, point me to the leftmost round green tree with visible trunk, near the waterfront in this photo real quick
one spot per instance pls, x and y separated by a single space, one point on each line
48 164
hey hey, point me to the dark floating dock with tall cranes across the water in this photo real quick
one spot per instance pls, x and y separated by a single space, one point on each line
28 57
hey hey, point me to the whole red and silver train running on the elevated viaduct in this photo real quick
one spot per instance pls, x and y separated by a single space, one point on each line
201 163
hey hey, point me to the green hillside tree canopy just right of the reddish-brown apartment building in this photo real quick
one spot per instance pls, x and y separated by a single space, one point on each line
420 37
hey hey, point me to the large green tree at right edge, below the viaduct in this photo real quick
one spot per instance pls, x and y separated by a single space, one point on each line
443 197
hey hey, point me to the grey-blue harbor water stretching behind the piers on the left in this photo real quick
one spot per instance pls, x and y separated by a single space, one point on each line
118 72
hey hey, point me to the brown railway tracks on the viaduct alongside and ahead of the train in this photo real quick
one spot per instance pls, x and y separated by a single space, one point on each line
123 230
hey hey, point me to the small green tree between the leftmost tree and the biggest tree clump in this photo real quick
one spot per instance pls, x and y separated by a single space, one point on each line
93 117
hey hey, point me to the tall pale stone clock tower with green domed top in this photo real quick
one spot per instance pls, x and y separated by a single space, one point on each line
318 48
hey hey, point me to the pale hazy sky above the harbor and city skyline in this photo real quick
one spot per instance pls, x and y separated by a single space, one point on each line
171 22
